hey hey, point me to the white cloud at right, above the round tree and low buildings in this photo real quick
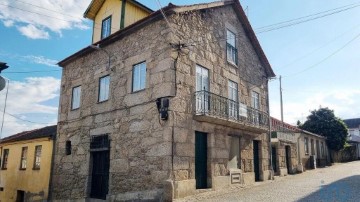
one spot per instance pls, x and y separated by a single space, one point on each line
344 102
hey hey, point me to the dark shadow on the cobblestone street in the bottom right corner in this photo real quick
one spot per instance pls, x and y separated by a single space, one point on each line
346 189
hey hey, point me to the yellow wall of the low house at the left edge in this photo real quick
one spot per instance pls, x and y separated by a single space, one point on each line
35 183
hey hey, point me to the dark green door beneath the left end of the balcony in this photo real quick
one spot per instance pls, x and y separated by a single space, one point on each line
201 160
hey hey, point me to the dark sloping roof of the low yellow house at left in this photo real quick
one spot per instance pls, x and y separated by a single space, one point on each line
49 131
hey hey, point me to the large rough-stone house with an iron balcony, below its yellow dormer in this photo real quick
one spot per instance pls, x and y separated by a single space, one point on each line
165 107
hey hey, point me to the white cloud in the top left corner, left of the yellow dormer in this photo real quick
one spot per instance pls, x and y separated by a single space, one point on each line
35 19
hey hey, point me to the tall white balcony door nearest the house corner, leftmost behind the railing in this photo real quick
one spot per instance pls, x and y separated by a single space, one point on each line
202 89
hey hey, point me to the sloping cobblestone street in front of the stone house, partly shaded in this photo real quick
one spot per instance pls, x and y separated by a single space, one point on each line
340 182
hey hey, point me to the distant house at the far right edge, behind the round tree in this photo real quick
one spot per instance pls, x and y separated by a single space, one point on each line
354 133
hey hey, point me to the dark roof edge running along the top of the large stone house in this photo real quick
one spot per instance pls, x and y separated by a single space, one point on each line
171 9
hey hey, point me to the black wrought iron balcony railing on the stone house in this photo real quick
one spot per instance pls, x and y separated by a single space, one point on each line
209 104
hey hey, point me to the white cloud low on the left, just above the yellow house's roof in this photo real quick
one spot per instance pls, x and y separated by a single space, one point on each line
29 98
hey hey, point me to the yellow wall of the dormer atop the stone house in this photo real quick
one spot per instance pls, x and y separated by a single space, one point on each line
113 8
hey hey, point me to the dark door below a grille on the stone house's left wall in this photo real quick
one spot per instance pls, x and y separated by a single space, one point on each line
100 174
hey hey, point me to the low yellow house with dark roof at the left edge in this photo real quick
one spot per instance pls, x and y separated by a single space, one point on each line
26 164
